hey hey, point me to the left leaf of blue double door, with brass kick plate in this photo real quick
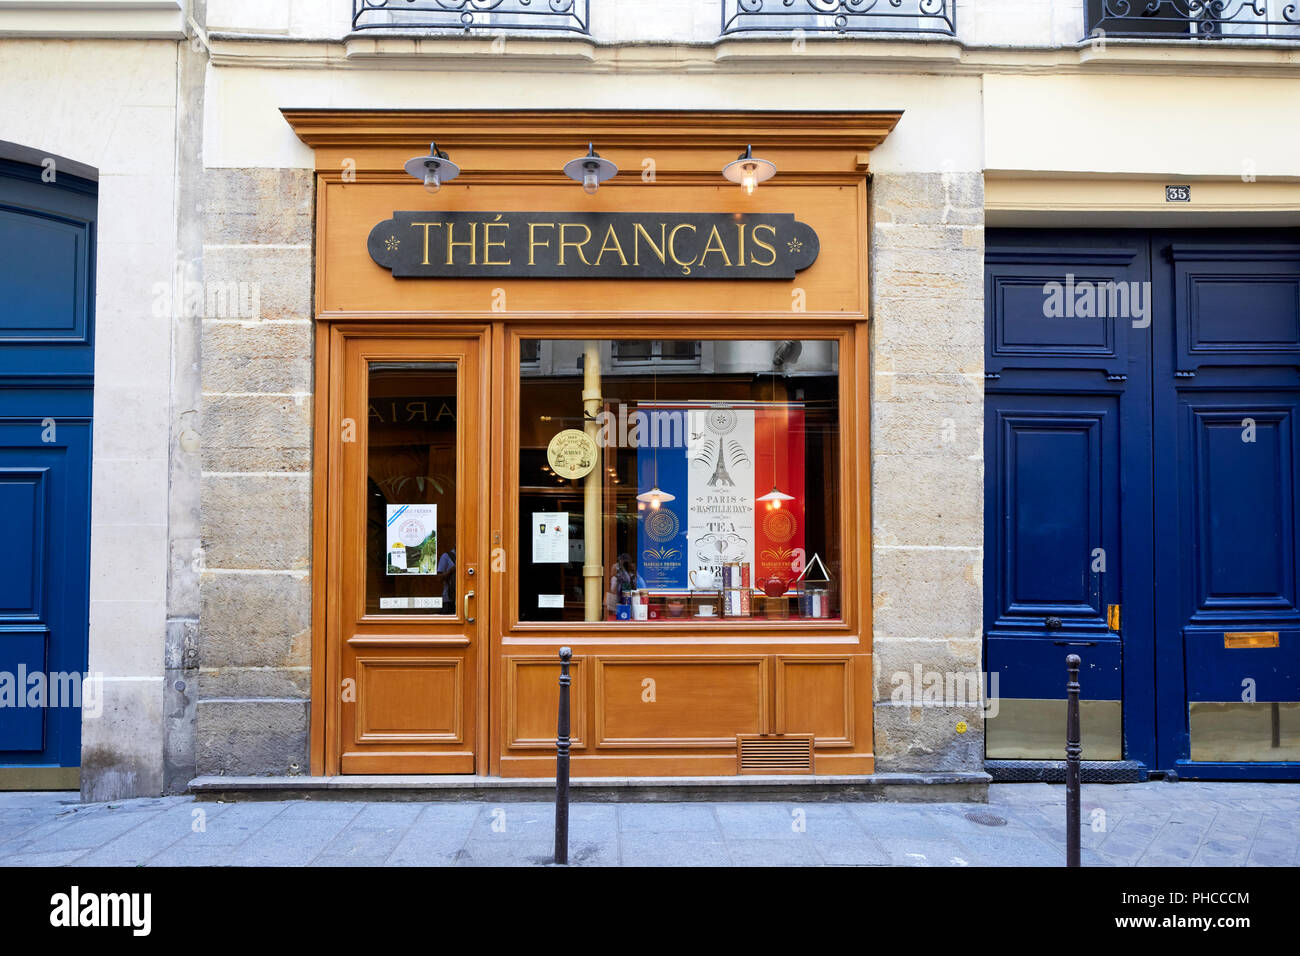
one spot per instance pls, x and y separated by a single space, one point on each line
1068 501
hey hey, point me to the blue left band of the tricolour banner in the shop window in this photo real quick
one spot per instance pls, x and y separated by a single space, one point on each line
662 555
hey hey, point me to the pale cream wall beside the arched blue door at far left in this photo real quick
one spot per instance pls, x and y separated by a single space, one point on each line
111 105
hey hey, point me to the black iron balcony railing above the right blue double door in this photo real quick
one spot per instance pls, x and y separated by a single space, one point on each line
1195 20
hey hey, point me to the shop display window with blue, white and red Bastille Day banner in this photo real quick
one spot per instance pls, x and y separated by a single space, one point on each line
671 481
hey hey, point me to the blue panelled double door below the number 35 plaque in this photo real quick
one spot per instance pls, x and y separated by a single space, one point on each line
1142 403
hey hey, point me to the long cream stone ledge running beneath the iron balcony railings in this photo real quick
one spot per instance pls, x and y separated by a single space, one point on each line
746 57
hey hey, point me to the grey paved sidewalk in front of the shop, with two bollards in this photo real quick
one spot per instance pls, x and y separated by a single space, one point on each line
1022 825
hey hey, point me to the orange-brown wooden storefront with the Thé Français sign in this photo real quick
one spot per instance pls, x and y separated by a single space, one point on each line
473 687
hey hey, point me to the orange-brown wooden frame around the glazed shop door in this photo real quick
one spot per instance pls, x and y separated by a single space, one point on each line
331 341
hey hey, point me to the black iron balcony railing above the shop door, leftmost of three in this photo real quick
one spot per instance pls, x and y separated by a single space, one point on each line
565 16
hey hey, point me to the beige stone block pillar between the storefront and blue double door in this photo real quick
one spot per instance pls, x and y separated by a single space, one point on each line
928 391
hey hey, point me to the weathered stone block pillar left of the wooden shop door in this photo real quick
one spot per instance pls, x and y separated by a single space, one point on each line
254 647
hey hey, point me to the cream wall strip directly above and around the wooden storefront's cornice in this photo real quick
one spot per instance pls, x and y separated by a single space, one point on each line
941 129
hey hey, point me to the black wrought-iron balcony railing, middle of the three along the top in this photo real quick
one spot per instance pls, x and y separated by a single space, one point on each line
840 16
